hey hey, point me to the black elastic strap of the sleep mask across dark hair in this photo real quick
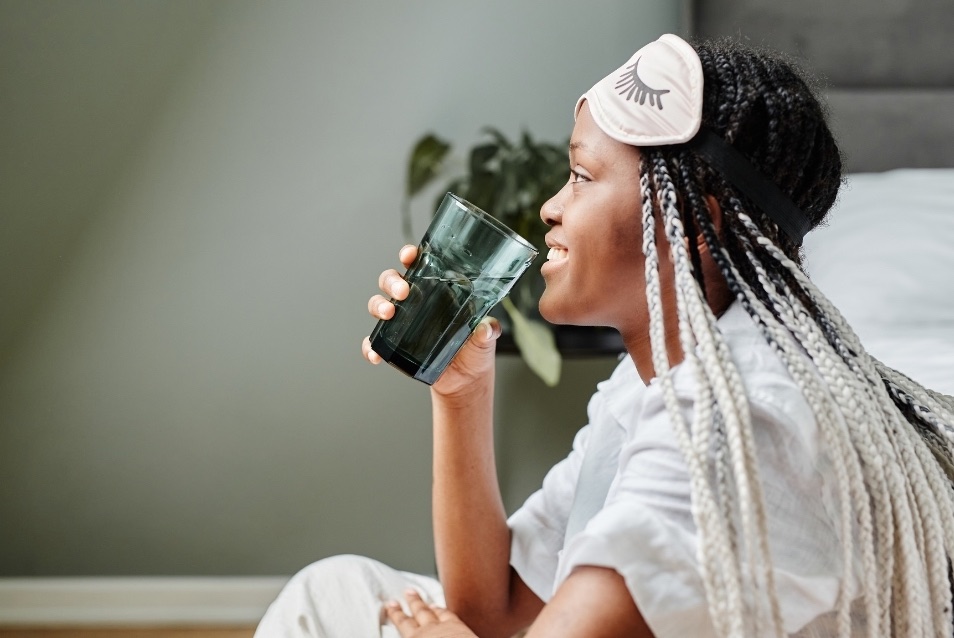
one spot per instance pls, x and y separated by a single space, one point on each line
740 172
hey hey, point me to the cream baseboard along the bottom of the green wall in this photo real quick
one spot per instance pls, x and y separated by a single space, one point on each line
136 601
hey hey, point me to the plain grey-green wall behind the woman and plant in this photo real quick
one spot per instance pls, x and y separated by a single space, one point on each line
196 198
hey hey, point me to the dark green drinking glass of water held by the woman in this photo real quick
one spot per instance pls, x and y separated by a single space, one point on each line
466 263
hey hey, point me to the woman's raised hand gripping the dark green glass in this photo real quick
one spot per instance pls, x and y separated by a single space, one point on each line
474 361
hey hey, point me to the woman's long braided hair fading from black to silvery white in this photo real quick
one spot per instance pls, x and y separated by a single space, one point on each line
890 439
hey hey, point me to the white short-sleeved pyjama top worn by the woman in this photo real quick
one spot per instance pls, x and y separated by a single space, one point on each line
645 530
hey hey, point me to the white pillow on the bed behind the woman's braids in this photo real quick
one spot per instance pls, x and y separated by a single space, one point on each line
886 260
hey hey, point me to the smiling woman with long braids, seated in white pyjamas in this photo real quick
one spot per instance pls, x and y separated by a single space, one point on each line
748 470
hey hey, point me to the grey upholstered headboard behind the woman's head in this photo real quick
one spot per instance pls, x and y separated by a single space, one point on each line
887 67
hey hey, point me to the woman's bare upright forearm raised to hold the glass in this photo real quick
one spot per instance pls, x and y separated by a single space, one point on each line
472 540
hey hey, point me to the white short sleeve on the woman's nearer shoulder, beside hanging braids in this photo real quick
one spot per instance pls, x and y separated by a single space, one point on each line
645 531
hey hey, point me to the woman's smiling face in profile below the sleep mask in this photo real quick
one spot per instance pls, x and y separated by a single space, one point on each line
594 270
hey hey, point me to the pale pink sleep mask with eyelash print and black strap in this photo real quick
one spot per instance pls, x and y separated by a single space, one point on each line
655 99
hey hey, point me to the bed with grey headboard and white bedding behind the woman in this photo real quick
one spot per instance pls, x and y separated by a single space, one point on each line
886 257
